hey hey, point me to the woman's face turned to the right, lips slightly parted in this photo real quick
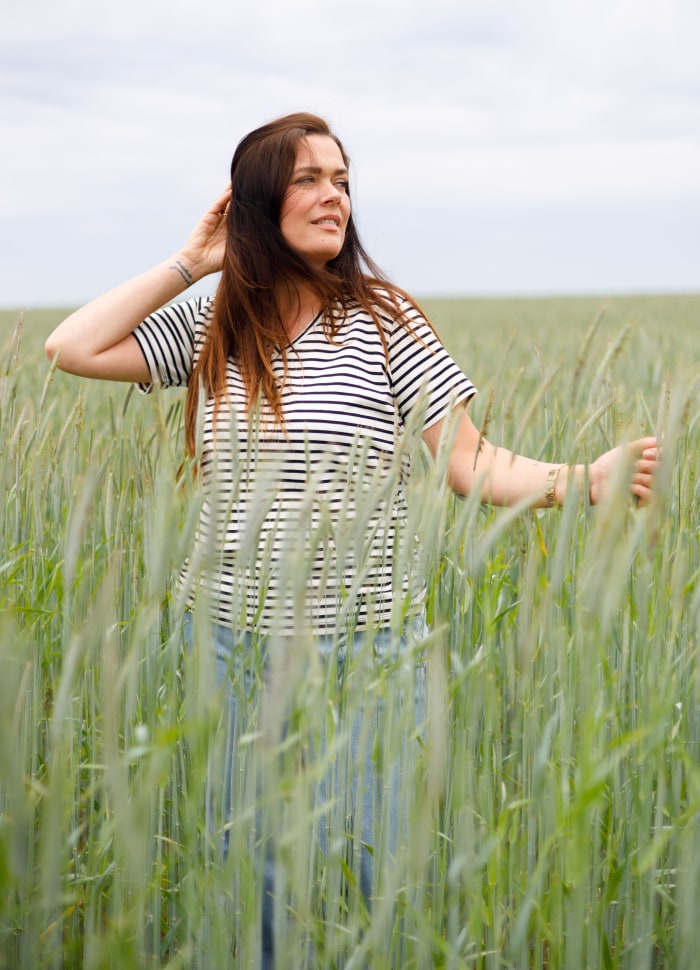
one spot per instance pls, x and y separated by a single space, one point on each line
316 206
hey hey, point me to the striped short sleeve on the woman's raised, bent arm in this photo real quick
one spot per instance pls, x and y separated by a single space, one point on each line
168 338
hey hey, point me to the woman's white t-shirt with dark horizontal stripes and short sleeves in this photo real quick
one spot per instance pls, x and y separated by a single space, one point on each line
303 529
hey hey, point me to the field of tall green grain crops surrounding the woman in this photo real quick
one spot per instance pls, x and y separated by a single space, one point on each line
555 797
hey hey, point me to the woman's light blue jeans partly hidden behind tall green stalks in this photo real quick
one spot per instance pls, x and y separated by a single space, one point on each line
359 793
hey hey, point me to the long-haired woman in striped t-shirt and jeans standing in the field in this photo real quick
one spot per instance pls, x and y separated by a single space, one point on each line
302 374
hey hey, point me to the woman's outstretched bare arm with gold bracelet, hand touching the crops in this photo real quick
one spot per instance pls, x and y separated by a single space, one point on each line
505 478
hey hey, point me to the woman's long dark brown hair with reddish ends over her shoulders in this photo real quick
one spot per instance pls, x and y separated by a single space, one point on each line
259 264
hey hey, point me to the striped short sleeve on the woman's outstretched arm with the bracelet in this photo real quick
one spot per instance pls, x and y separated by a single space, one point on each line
421 369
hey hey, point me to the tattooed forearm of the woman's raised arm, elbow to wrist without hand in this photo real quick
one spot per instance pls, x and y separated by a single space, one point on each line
105 322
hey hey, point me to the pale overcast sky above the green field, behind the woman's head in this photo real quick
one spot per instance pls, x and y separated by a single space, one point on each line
535 147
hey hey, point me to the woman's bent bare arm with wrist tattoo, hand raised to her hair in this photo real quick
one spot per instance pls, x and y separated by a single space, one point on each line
96 341
